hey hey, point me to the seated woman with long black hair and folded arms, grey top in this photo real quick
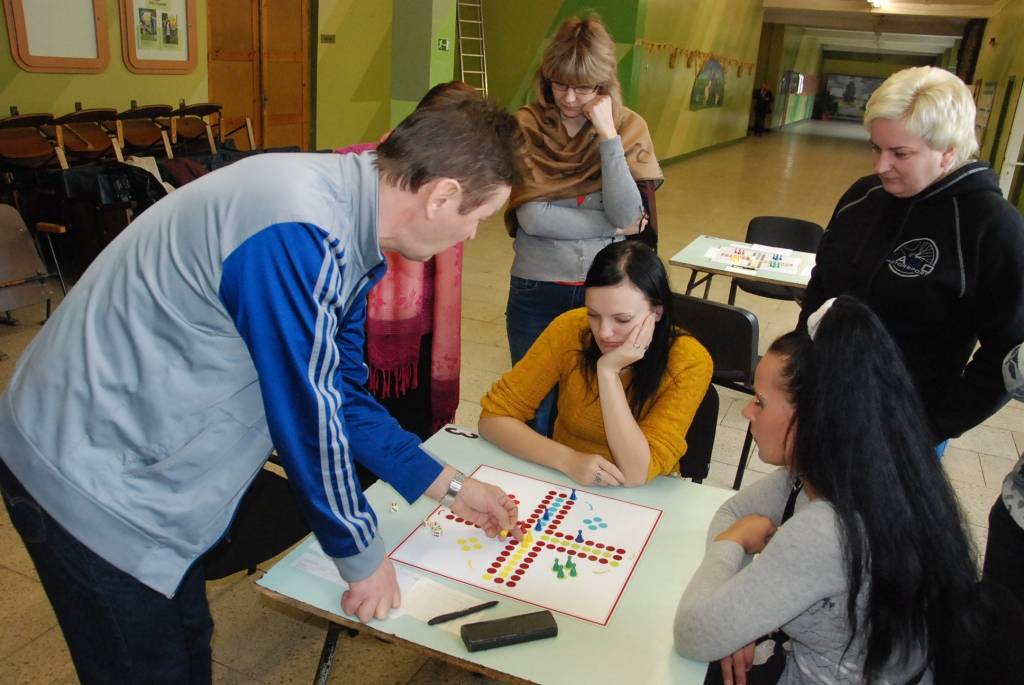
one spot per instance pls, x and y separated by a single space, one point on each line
863 558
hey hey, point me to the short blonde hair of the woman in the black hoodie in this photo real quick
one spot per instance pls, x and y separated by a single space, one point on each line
934 105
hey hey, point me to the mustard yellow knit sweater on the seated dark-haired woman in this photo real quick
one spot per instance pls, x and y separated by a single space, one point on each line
556 359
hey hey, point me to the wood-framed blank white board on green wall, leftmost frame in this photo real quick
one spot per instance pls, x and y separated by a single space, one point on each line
61 36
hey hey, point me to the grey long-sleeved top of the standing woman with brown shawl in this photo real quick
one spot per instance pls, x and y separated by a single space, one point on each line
558 240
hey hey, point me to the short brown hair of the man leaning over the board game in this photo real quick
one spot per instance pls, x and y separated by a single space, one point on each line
473 141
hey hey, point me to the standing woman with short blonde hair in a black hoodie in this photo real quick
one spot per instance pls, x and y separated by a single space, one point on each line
932 247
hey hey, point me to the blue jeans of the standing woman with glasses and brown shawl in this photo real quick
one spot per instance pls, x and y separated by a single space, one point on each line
532 306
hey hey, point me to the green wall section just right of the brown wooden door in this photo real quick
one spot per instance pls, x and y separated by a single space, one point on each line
354 75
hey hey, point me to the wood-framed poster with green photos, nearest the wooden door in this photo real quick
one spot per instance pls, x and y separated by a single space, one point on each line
159 36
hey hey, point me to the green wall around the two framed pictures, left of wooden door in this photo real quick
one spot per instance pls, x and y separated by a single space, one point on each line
115 88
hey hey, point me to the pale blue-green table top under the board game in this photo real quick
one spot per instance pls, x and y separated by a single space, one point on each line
636 647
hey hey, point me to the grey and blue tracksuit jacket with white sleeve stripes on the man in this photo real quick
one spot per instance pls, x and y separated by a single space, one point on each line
228 319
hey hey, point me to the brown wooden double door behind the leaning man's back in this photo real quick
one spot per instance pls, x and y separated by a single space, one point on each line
260 68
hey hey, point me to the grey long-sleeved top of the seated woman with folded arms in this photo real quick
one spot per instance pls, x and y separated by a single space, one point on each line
798 584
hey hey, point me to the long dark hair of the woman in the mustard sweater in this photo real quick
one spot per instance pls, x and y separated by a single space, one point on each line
634 262
